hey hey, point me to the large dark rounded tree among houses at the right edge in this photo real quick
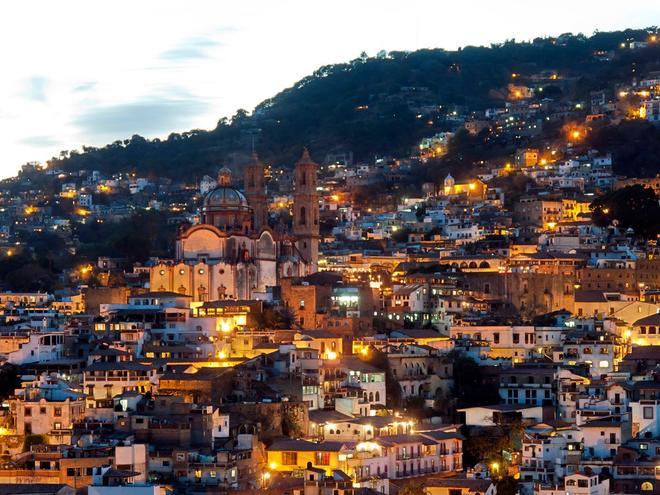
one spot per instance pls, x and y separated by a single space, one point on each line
633 207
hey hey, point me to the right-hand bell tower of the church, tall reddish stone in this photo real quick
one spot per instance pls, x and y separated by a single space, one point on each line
306 211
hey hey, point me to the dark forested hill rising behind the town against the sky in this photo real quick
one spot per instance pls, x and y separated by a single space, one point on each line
364 106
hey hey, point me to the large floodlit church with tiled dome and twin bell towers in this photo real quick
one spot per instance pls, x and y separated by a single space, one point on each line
233 253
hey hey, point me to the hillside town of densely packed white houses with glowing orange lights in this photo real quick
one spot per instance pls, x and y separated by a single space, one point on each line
340 327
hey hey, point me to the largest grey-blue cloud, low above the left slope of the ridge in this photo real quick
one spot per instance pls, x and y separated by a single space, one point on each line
149 117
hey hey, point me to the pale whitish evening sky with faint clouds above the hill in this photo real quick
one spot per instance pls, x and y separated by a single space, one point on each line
79 73
